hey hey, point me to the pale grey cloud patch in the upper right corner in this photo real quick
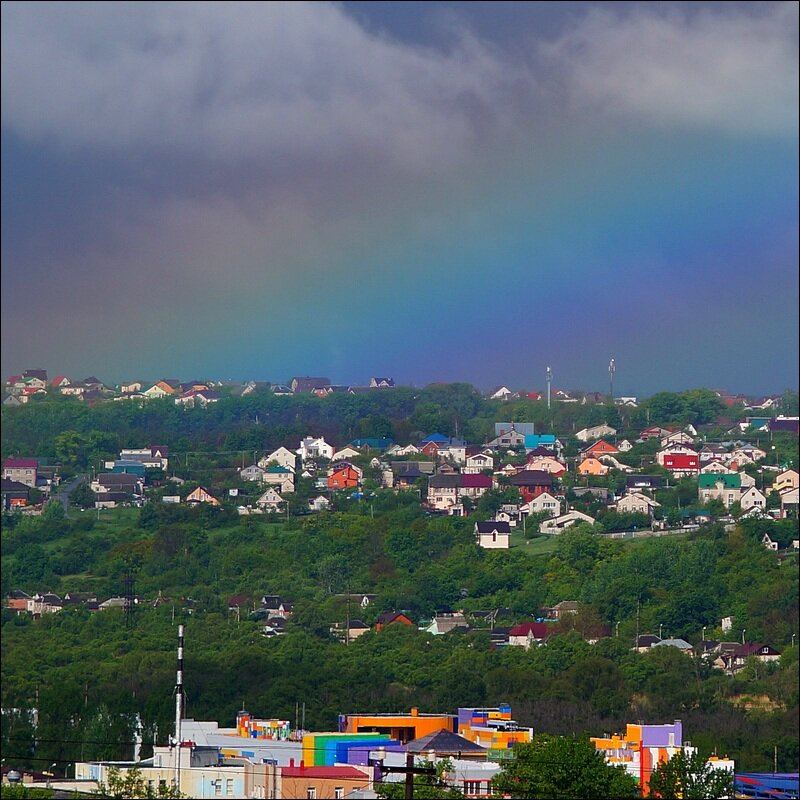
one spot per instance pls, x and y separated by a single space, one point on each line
730 71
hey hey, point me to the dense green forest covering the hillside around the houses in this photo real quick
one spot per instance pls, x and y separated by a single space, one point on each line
75 684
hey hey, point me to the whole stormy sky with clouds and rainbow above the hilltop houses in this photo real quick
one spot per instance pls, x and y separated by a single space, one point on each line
432 191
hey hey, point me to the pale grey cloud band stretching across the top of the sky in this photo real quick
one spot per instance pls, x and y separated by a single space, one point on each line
241 80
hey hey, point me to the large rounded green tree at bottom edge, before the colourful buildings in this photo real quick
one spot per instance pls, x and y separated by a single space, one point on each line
562 767
